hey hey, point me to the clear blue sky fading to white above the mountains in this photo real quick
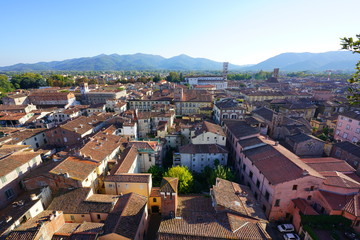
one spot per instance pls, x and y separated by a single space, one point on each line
238 31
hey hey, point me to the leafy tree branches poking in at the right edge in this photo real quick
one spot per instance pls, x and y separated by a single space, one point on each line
354 89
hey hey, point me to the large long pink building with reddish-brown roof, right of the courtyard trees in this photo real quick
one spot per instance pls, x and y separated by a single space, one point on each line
275 175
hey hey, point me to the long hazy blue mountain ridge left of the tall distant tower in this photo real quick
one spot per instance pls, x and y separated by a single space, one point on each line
115 62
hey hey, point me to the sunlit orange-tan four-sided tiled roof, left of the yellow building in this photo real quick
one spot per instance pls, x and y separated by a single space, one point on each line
77 168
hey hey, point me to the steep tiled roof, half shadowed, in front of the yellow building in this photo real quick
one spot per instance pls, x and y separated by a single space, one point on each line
125 219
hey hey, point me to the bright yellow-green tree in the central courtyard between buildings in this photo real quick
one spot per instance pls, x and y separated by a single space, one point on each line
185 178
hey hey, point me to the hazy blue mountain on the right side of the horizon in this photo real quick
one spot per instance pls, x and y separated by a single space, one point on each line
336 60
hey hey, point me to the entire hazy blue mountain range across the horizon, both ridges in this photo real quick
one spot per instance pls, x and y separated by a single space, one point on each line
335 60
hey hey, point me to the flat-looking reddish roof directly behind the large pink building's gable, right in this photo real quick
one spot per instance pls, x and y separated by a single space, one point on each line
328 164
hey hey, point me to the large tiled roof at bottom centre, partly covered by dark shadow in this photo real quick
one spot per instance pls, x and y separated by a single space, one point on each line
196 219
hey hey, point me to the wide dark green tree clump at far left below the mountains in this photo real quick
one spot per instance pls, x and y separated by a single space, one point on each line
28 80
